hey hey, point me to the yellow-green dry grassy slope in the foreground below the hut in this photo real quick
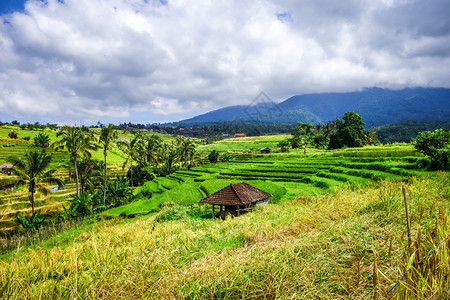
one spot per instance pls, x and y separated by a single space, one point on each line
310 247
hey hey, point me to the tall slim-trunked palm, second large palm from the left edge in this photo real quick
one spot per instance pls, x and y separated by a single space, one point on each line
75 140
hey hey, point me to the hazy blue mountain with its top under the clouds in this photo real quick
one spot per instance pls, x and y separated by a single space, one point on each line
377 107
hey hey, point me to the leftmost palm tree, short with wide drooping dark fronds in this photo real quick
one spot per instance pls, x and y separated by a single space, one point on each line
30 171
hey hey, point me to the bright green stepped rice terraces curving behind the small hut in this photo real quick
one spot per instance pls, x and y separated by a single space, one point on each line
284 175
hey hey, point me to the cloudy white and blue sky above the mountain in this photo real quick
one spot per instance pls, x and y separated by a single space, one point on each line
147 61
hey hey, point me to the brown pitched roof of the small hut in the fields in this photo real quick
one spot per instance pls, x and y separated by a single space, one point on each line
236 194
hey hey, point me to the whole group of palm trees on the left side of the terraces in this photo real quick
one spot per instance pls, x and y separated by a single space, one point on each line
145 158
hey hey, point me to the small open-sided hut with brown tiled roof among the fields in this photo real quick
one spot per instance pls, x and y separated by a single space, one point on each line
236 199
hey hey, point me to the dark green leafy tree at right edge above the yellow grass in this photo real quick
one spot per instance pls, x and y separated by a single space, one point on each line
436 145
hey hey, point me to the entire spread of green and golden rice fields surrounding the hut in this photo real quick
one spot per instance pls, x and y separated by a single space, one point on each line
335 225
